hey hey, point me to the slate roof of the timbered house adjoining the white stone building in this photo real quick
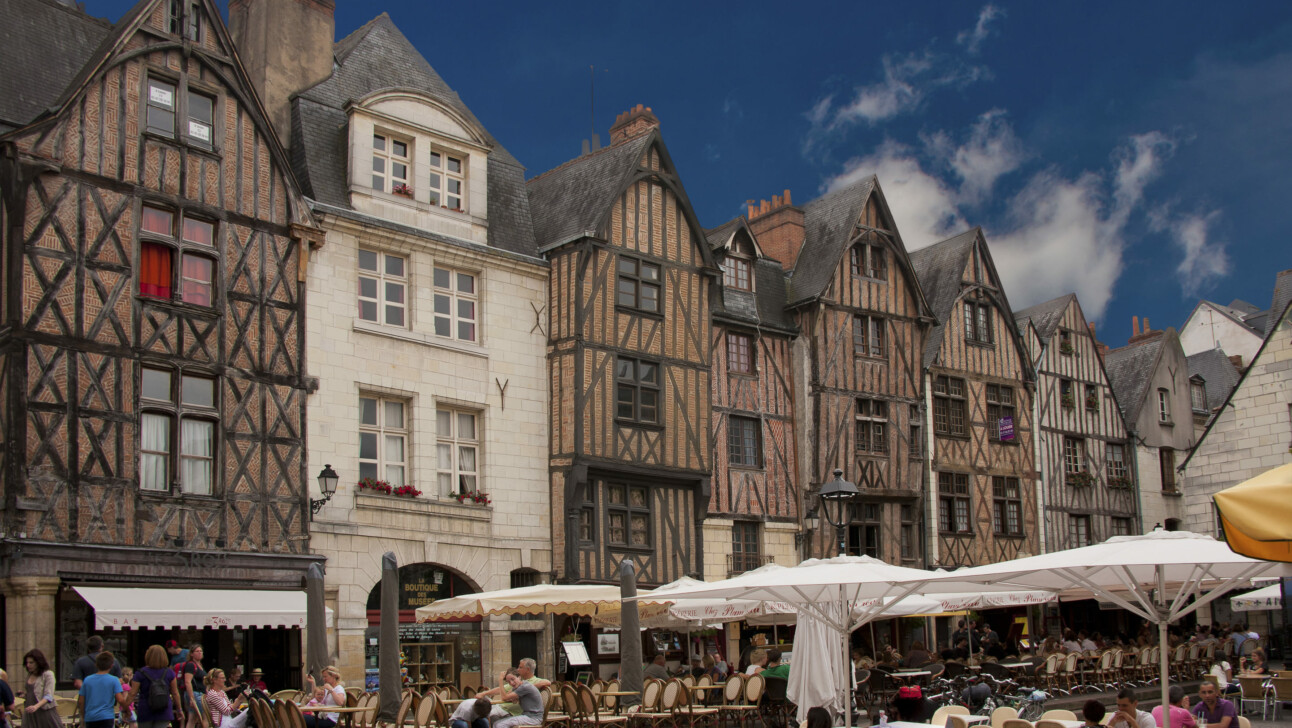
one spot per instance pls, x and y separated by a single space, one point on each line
572 201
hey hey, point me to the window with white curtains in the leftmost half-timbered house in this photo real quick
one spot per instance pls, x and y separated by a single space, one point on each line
166 398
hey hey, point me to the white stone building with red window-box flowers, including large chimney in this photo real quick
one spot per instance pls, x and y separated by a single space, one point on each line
427 341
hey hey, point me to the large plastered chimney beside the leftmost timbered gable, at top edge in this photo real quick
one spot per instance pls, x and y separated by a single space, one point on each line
286 47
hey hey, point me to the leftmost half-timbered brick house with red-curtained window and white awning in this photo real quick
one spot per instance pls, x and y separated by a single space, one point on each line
152 352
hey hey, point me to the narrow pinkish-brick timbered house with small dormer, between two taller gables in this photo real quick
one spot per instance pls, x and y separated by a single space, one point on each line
755 506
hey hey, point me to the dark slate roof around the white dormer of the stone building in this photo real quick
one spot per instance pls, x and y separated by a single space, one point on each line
379 58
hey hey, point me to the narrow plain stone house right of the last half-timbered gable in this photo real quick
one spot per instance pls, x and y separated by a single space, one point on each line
1152 382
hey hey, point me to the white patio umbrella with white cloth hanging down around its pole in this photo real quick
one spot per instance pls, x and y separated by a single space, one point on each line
843 593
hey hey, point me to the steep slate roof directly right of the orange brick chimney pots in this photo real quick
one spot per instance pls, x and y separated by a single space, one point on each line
829 223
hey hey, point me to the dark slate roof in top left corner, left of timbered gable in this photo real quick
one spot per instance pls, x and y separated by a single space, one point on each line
46 46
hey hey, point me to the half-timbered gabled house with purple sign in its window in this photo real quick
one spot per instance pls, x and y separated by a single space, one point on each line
983 496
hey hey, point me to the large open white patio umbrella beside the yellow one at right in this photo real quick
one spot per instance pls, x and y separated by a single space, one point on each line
1153 576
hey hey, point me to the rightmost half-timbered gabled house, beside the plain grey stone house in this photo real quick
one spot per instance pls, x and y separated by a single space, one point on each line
1083 460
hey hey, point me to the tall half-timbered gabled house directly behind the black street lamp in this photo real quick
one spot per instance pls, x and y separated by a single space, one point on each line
864 319
